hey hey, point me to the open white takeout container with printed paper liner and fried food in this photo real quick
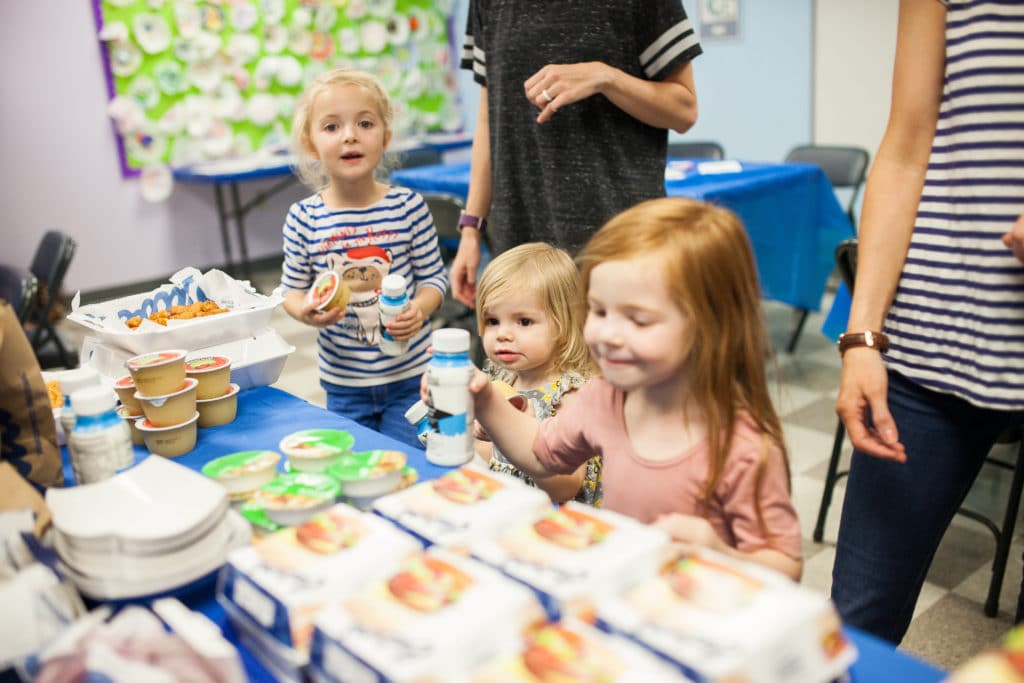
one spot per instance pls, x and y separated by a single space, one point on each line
248 313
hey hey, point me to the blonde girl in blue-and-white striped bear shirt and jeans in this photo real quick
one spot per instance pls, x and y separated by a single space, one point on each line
364 230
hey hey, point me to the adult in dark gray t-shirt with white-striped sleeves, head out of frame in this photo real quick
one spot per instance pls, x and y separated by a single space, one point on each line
576 102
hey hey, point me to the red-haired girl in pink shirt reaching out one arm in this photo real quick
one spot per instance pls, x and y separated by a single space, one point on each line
681 414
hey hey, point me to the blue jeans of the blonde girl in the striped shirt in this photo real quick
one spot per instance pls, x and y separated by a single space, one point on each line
380 408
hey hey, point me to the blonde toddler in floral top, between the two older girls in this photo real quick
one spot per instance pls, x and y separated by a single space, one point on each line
530 316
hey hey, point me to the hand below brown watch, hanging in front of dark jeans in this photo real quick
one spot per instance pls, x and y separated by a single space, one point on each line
863 393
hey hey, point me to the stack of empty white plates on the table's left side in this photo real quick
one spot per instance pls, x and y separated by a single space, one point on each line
150 530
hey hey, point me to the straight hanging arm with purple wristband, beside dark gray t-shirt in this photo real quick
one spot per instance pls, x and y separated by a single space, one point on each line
467 260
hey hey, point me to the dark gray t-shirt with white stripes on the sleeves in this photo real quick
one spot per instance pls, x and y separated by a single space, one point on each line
560 182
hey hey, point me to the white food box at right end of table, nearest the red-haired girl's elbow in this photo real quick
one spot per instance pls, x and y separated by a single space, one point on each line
720 620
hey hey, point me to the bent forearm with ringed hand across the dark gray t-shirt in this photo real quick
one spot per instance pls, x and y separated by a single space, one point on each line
671 103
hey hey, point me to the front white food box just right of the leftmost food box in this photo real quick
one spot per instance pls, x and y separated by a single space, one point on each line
436 619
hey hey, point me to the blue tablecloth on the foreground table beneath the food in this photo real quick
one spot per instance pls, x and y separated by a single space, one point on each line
267 415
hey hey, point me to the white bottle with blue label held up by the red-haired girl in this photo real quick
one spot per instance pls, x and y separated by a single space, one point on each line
450 443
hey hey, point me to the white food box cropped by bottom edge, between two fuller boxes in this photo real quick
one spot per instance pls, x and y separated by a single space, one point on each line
574 651
